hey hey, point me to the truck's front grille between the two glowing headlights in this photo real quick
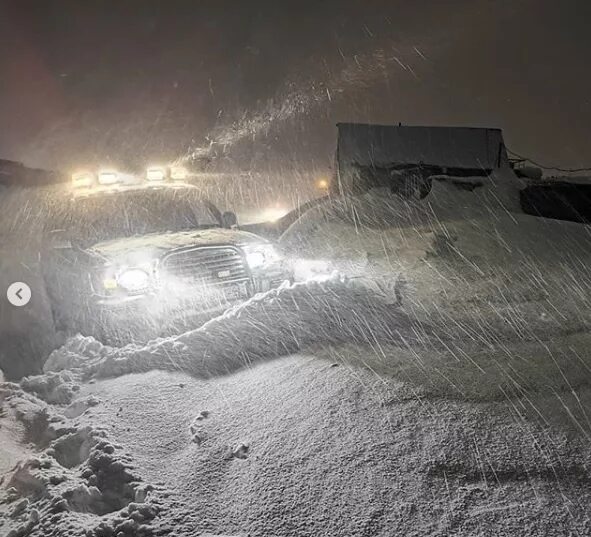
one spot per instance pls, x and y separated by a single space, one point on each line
206 265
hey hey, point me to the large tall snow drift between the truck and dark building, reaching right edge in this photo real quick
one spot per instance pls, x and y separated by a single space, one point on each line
458 256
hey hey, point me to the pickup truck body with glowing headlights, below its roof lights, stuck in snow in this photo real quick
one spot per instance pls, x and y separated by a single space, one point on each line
126 263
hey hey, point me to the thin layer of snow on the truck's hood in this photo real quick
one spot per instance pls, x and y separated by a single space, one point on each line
163 242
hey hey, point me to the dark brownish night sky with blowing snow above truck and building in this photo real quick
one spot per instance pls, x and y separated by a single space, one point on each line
129 82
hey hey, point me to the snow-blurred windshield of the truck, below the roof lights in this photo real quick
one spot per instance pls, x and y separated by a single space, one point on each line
110 216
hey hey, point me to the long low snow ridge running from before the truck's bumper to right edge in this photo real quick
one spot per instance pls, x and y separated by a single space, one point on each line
459 353
